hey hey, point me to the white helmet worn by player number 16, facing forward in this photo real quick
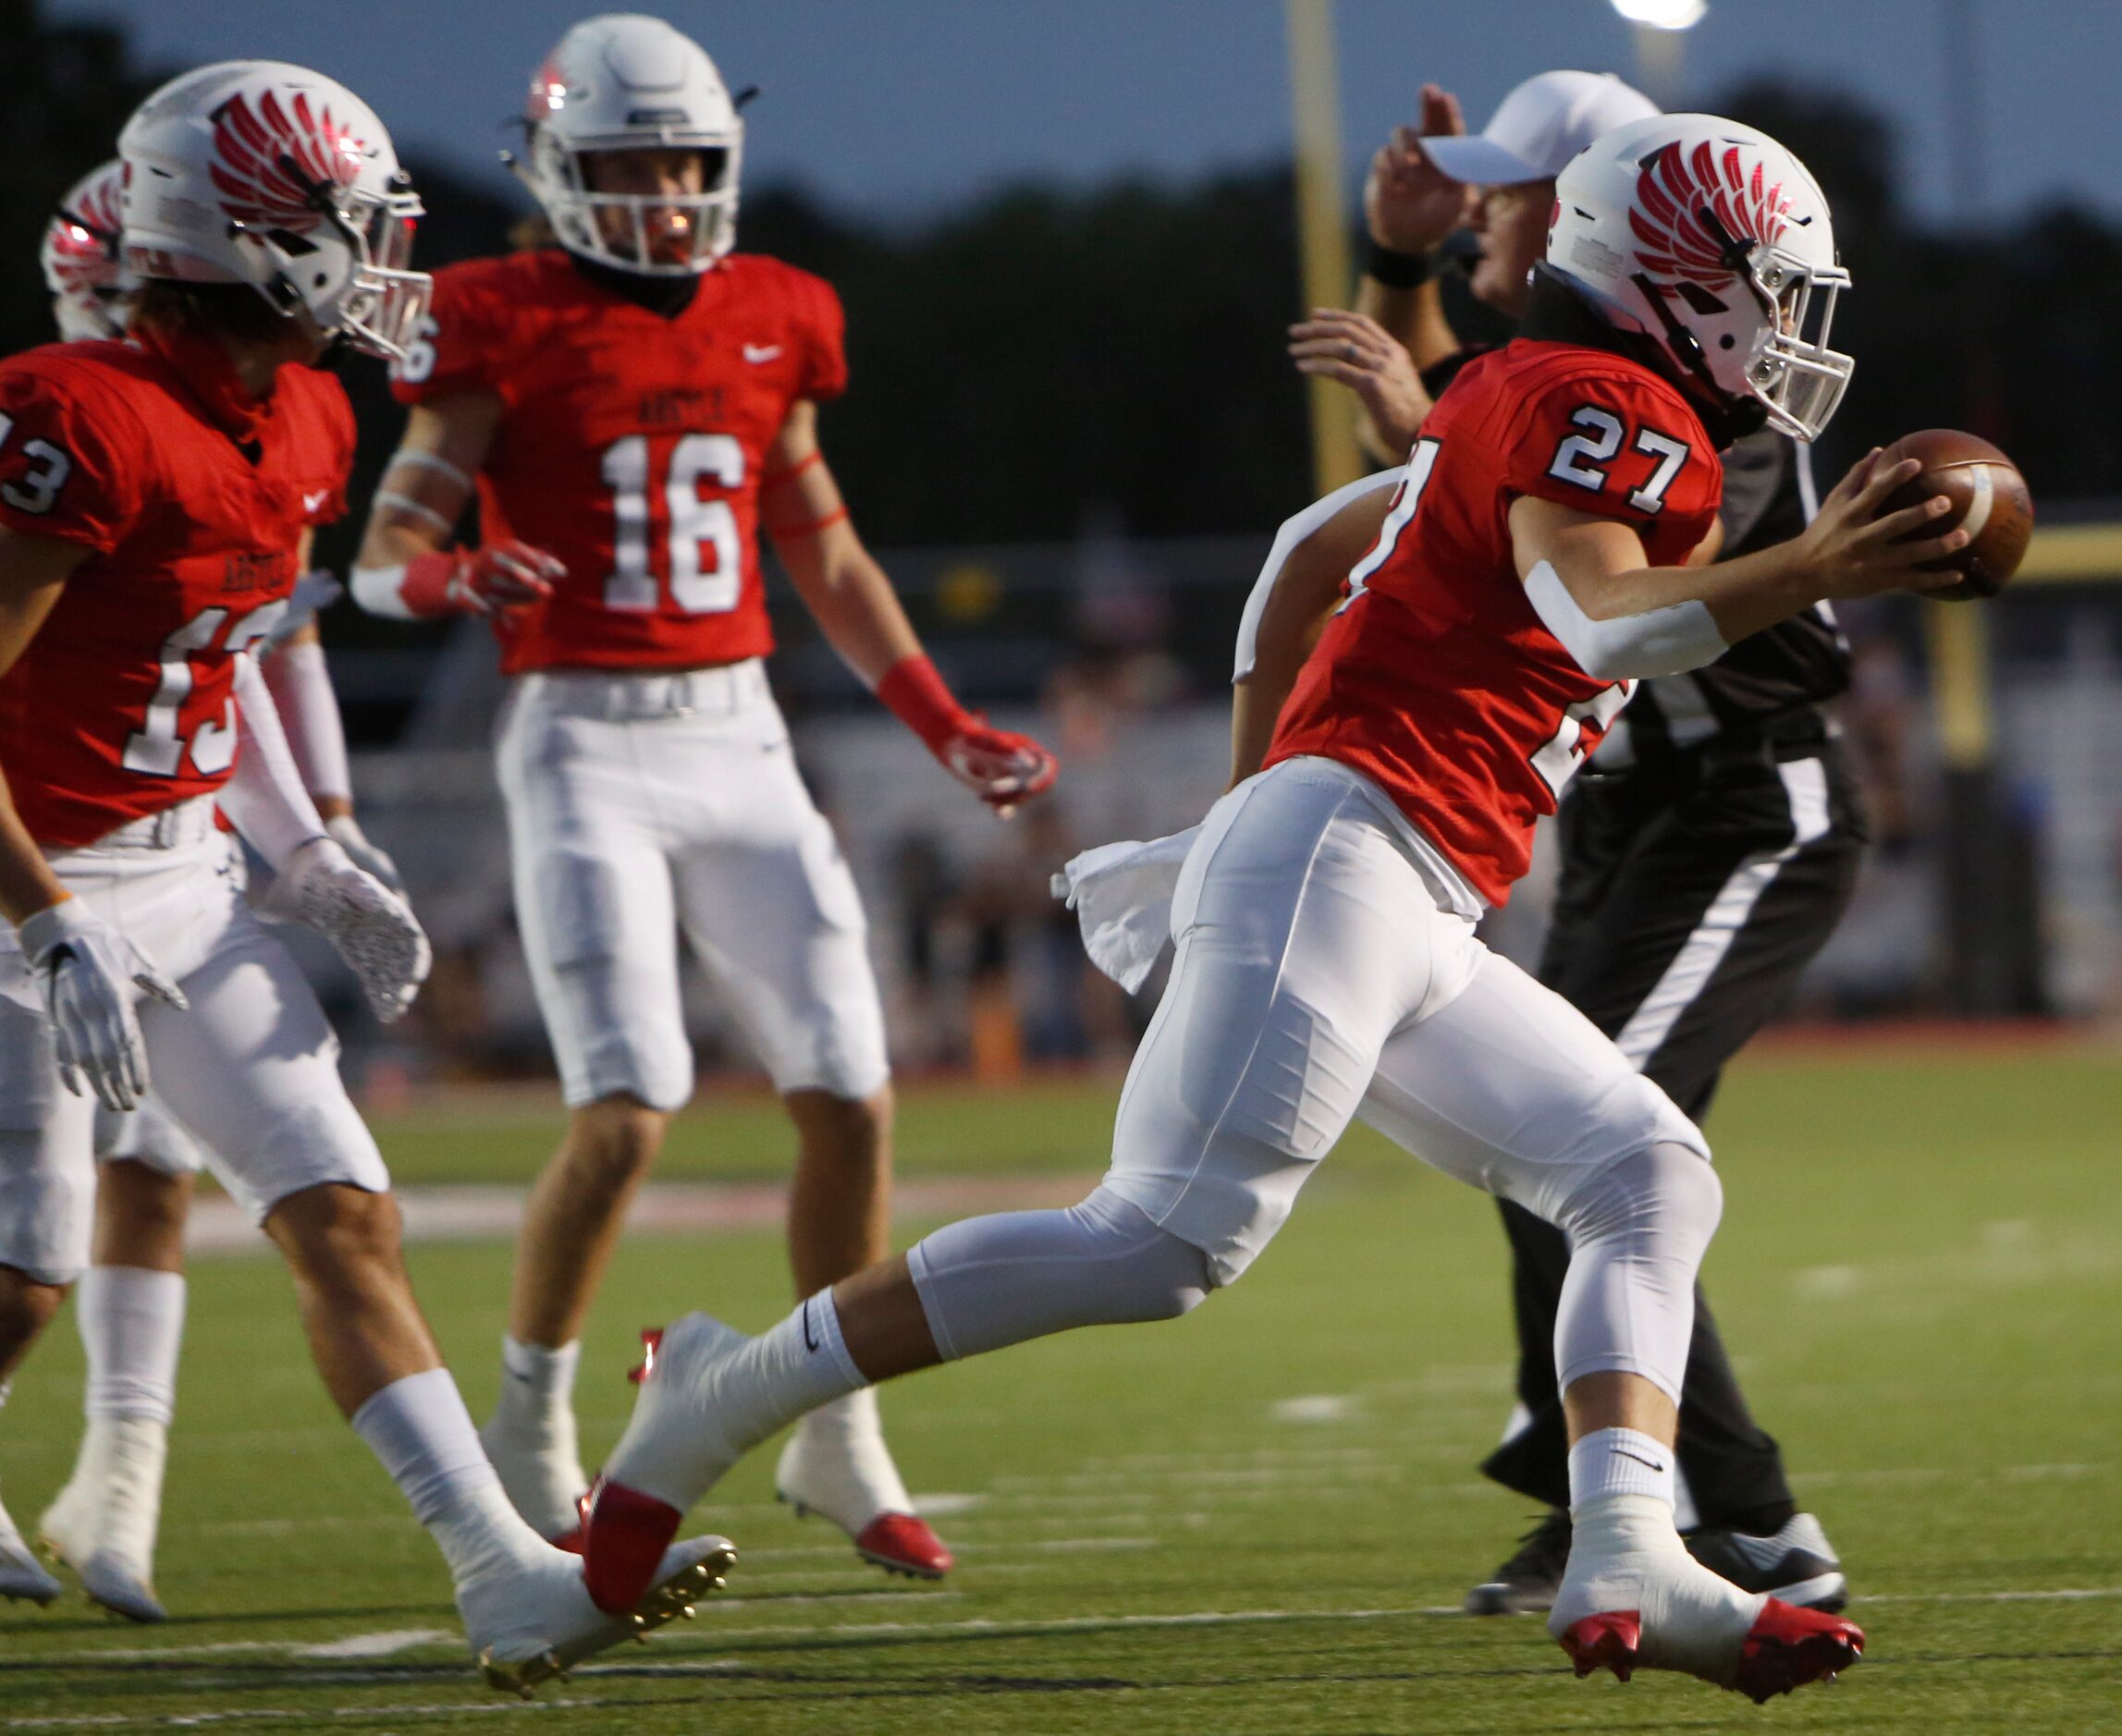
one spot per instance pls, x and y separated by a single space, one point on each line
631 84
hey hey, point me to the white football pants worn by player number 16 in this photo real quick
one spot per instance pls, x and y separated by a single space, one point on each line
650 803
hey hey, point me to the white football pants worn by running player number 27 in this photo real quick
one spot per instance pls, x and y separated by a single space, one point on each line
1319 977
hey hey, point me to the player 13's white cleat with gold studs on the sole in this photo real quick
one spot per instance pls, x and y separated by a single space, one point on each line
534 1625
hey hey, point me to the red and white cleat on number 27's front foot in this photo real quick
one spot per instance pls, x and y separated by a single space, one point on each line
1633 1599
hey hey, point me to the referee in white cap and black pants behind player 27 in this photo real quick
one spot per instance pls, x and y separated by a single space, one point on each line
1707 854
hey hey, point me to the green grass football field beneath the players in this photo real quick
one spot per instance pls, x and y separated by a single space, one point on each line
1253 1521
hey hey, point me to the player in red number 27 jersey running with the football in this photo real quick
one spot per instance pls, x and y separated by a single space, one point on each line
1533 566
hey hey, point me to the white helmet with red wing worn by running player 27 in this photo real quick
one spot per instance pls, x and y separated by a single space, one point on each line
1718 243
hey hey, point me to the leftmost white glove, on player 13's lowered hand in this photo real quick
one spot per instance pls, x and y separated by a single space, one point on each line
88 973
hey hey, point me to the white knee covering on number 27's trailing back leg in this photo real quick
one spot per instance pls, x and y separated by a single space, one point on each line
1017 1277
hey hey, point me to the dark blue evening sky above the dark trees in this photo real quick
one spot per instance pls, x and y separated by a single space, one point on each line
899 107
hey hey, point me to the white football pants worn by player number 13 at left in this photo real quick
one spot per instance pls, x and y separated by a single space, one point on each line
251 1071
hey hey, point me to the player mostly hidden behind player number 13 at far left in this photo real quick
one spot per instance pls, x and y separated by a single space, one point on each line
131 1302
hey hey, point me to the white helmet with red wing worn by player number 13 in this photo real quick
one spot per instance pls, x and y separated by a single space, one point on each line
268 175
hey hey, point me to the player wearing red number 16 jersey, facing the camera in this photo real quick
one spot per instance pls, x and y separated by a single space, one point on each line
636 406
